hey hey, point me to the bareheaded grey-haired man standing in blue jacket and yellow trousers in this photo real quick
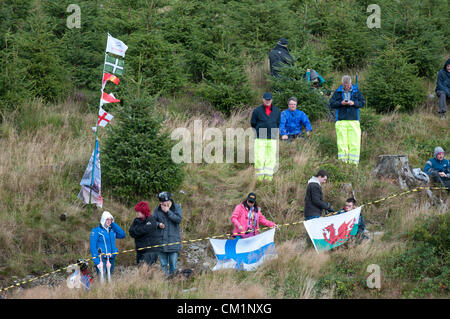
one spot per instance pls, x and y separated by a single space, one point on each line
347 100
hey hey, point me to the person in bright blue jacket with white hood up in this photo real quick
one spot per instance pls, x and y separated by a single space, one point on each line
104 237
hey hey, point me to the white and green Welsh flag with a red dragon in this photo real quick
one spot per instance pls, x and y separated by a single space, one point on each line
329 232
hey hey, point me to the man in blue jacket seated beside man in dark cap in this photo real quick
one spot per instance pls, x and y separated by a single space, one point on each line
293 121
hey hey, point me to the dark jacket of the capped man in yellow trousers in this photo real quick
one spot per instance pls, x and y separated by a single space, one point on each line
260 120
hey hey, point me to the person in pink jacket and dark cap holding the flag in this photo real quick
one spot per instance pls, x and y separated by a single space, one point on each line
247 217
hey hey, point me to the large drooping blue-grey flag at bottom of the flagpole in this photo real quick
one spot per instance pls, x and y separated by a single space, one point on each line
89 184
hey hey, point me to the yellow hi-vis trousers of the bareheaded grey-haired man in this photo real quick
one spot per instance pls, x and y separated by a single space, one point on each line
348 136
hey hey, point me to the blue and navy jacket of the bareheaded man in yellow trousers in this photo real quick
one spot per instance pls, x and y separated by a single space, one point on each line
347 112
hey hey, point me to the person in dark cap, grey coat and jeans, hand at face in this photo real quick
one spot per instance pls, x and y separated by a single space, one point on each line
169 216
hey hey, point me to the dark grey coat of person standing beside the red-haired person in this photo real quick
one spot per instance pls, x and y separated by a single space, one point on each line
171 232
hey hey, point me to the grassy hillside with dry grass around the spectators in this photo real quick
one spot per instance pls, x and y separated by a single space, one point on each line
45 154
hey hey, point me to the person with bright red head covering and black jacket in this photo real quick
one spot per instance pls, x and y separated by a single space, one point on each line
144 230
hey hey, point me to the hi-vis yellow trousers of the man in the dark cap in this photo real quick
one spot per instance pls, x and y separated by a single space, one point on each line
266 160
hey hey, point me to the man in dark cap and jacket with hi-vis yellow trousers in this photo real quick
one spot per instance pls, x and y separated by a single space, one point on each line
266 121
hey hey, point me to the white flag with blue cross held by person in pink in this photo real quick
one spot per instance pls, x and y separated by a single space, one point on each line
244 254
